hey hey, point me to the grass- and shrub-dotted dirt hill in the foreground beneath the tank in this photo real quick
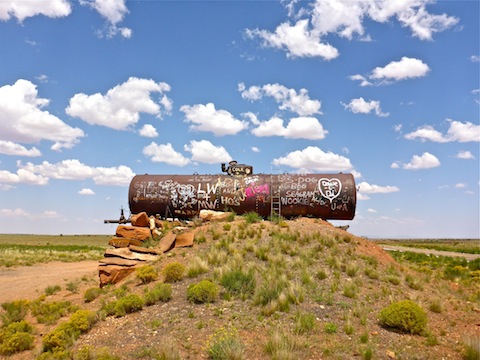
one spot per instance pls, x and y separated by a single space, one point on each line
253 289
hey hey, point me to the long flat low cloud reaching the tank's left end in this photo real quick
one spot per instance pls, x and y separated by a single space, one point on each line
75 170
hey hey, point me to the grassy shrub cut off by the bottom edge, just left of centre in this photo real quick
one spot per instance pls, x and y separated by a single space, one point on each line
226 345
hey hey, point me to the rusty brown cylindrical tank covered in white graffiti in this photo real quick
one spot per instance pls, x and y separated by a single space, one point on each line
325 196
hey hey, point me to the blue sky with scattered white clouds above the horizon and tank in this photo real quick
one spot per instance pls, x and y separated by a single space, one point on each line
94 92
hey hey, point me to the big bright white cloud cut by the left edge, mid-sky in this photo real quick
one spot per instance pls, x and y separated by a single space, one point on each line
22 118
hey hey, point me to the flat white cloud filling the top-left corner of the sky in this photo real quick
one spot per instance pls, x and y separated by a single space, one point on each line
24 9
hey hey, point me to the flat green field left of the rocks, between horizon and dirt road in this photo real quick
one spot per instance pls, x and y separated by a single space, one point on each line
23 249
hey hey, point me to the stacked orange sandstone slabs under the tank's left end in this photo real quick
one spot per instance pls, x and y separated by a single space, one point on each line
131 244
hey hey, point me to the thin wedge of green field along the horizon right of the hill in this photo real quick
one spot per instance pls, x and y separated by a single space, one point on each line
468 246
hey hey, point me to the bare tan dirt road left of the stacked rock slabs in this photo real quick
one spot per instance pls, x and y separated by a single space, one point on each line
29 282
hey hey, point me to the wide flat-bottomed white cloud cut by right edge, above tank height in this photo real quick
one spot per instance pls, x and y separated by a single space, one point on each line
458 131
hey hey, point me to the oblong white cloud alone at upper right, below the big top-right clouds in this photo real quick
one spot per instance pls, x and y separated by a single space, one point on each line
406 68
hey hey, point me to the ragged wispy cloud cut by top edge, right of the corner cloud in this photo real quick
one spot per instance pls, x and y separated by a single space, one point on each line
114 12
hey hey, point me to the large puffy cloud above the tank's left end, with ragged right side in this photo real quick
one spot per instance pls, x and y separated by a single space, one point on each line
121 106
